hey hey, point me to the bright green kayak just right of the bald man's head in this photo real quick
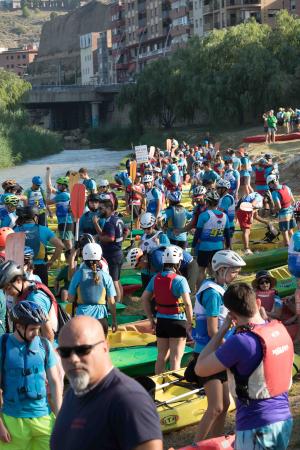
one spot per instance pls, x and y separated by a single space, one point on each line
137 361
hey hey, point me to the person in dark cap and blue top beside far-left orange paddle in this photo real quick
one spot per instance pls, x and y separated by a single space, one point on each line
38 237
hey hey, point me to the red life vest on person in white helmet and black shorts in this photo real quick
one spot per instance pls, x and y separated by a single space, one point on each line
166 302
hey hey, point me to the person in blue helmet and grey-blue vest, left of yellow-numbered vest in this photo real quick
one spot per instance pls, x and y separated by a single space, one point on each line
175 217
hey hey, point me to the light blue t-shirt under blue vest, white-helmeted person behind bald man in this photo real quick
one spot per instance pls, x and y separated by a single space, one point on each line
96 311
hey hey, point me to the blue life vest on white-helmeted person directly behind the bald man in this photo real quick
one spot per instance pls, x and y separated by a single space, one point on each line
88 291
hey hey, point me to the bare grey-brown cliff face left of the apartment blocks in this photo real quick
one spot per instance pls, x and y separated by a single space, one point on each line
58 58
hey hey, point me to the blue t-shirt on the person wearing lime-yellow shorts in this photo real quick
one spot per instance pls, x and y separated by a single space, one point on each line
27 408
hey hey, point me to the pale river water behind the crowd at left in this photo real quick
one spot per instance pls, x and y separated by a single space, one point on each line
100 162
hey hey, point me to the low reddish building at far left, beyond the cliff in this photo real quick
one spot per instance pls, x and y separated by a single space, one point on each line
17 59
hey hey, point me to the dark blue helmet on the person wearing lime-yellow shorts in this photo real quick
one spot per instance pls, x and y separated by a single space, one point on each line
28 313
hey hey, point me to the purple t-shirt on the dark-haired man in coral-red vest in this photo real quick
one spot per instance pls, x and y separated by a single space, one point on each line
243 351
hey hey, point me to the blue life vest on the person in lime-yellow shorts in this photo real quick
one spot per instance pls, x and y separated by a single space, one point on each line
24 376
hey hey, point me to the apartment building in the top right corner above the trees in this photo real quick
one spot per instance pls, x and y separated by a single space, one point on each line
210 14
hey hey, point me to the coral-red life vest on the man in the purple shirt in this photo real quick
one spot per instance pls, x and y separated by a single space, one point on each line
278 355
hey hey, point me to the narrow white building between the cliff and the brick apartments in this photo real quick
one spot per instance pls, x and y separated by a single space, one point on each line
88 58
